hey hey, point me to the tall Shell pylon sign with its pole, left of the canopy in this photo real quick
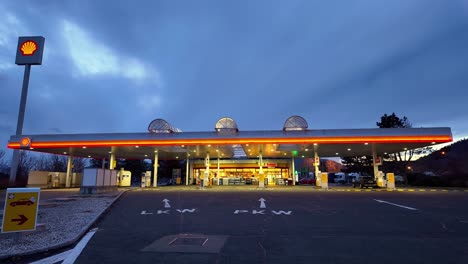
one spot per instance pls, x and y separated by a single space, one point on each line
29 52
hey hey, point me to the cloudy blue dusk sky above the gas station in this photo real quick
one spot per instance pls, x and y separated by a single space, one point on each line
112 66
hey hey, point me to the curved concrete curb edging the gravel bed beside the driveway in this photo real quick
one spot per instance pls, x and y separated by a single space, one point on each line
83 231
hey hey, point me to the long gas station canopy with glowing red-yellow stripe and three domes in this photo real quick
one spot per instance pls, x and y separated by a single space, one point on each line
228 142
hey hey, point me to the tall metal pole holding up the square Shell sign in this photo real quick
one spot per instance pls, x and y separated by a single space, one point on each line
19 125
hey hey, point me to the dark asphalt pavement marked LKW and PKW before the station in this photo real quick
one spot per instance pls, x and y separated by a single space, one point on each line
283 227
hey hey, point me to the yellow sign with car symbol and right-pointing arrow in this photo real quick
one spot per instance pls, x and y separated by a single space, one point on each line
20 211
